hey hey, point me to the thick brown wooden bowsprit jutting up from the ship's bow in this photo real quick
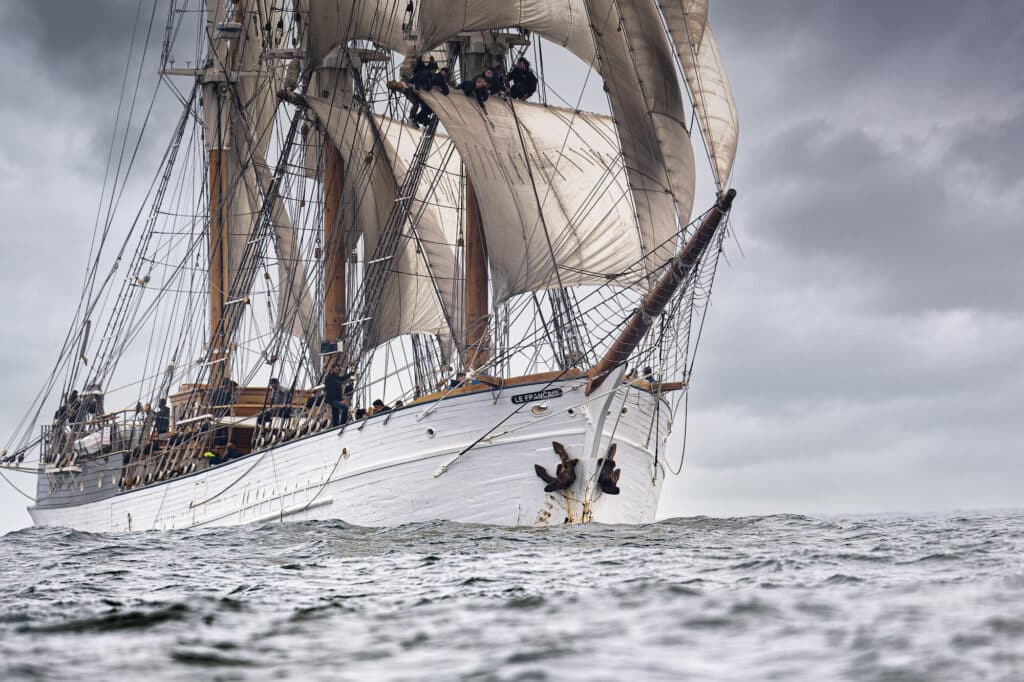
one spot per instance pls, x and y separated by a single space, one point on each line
654 306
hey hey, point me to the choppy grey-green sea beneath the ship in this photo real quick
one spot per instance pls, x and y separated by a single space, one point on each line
930 599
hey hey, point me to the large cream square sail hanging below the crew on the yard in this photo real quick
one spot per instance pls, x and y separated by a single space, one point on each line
584 223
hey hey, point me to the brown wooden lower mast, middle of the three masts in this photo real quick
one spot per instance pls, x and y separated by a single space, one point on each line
334 245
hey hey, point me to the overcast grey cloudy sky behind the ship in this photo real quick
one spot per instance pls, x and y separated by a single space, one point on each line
864 351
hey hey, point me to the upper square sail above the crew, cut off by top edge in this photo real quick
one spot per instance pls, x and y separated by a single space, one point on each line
562 22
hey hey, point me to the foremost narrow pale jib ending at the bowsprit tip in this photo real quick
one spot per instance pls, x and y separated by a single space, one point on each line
712 97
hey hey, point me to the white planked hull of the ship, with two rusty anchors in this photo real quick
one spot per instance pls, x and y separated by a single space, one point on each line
390 471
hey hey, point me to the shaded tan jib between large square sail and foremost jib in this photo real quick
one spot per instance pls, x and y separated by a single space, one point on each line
637 65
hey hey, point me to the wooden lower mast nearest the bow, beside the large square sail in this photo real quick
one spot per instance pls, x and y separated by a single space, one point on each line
478 342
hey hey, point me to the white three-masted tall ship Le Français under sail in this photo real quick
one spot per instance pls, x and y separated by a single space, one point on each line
388 273
